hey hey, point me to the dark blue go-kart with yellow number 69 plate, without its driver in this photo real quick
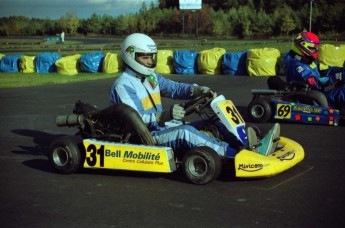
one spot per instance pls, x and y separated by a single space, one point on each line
292 102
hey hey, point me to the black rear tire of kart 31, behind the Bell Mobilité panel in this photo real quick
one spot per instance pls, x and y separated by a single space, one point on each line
66 154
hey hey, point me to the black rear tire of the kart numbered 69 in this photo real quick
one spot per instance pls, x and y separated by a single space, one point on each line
260 110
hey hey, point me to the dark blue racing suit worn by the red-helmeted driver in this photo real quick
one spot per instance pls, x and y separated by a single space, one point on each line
300 69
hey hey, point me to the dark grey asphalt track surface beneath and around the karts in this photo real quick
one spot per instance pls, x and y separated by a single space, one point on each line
310 194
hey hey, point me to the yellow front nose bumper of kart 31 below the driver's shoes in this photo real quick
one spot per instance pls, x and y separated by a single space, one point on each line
252 164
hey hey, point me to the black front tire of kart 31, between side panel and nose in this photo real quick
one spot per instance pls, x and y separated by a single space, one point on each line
201 165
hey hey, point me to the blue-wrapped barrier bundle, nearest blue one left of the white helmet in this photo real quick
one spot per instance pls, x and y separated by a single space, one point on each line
92 62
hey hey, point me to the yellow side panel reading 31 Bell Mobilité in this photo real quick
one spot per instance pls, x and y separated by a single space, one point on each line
123 156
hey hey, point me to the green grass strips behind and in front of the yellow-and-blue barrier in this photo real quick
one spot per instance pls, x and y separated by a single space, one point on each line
34 46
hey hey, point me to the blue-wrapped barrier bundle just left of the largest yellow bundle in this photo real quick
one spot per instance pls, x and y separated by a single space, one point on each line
234 63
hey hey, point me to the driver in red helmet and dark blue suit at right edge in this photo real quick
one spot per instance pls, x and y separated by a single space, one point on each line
301 65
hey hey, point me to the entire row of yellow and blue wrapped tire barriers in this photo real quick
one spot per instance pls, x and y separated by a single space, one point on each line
252 62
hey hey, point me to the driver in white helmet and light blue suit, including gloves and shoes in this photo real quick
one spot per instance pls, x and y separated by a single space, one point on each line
141 88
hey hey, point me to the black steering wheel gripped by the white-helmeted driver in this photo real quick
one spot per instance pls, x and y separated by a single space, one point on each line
197 103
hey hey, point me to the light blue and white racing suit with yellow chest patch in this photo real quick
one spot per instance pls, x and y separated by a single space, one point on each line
144 95
